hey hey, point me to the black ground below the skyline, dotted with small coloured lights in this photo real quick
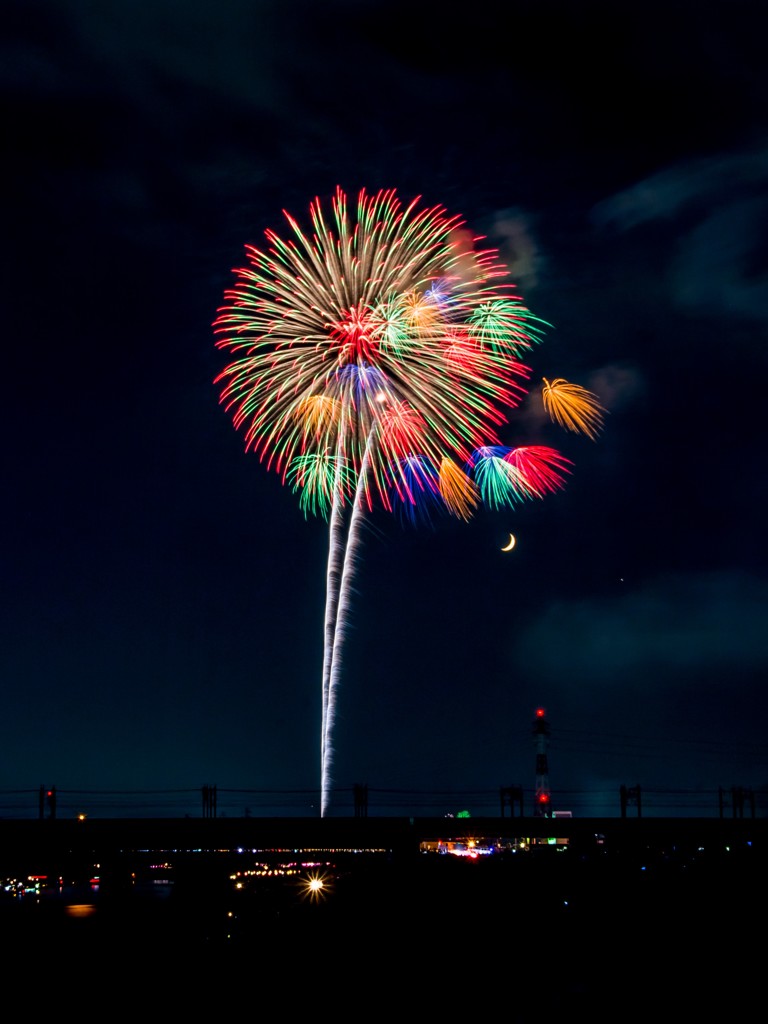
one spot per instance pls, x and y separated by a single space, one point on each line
658 914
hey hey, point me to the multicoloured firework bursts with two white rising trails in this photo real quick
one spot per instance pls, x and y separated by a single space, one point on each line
374 358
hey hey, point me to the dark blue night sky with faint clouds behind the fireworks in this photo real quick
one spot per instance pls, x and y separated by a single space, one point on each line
163 593
